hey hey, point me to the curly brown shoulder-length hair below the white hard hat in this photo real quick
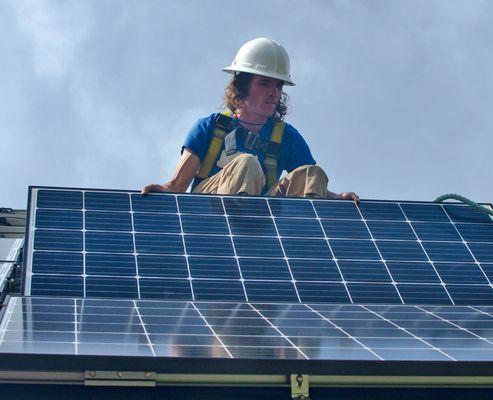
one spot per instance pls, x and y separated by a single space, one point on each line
237 91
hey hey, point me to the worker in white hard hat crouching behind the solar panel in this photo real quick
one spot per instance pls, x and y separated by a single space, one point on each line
245 150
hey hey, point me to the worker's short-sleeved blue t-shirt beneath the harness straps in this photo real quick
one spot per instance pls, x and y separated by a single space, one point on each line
294 150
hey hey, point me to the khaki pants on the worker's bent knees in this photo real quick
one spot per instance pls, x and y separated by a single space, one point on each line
244 175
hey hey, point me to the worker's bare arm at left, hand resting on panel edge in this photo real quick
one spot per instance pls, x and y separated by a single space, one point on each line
184 173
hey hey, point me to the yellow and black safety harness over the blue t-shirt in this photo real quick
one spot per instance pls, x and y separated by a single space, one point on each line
223 125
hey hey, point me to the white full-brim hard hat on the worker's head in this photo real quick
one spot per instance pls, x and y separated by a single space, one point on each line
264 57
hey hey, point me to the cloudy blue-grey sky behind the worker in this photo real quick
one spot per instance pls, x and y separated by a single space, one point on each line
394 97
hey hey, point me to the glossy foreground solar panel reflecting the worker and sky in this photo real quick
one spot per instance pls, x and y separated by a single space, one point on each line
184 329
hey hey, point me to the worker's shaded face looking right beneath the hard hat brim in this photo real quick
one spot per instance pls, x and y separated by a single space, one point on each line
263 96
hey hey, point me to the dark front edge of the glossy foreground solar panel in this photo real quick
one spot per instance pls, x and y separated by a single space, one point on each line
78 363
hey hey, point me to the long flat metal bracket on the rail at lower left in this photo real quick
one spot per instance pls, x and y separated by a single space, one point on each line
120 378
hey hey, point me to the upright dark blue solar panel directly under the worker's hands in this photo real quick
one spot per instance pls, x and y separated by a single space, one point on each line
115 244
